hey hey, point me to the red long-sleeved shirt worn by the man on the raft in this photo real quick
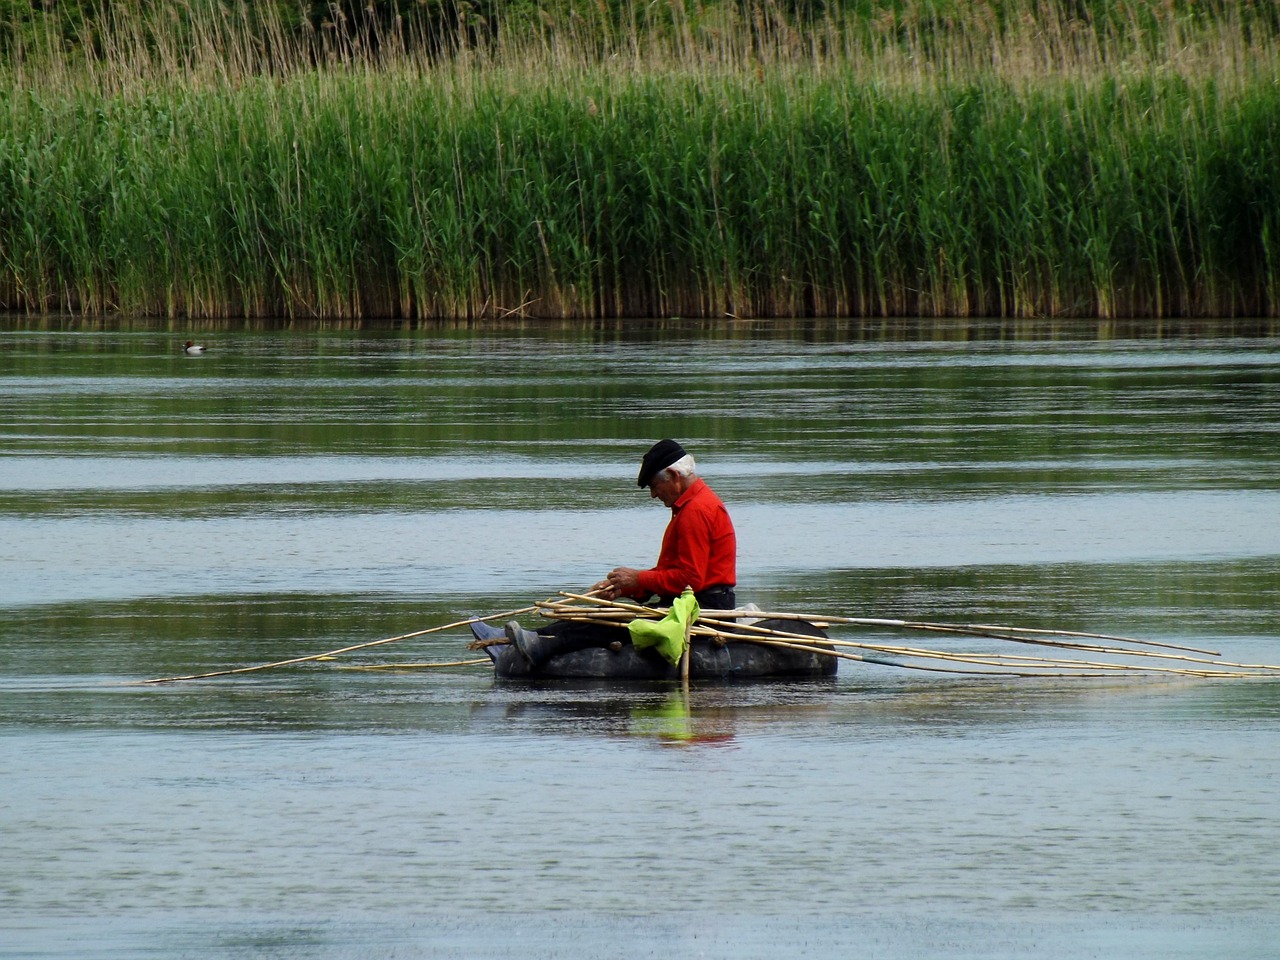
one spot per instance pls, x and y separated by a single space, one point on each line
700 548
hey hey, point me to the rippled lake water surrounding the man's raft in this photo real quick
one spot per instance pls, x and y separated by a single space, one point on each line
304 488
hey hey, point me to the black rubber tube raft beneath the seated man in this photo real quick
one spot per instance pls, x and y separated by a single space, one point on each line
708 661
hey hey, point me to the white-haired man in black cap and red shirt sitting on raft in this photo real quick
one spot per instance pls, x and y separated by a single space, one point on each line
700 550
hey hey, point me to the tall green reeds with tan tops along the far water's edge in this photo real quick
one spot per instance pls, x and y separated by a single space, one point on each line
860 167
